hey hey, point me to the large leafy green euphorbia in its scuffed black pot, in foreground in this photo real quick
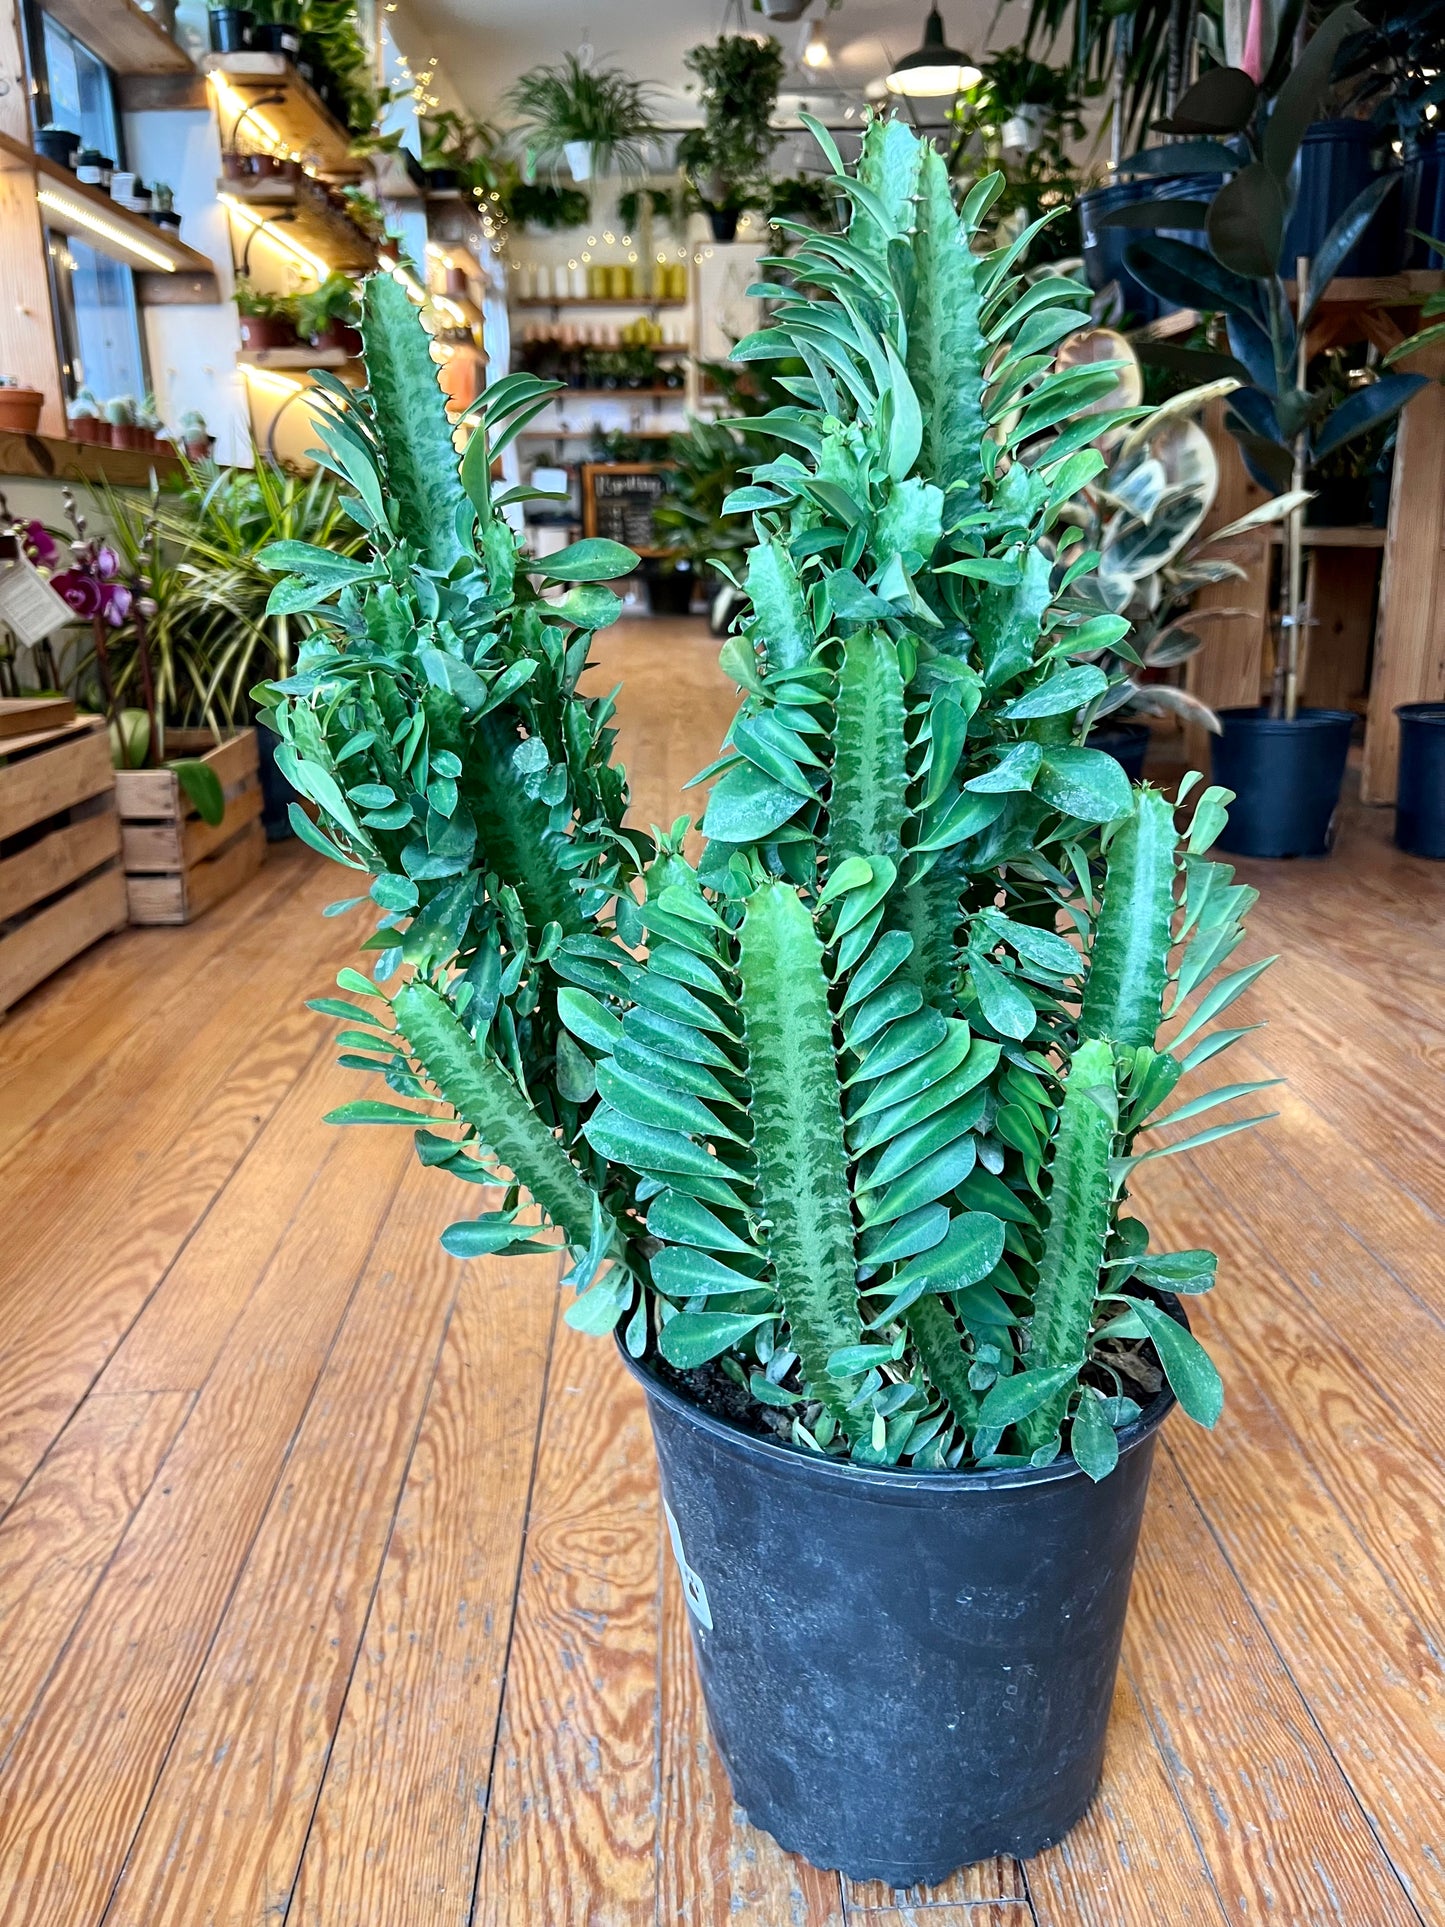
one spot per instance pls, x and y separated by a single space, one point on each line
835 1126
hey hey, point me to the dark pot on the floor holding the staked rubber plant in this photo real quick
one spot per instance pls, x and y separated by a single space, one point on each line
1286 779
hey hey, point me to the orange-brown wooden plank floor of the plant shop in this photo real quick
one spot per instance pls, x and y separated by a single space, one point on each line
332 1589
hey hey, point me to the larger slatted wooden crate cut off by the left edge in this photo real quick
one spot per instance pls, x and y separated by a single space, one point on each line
61 874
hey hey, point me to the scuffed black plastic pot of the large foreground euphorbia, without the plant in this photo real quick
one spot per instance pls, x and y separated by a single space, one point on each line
905 1672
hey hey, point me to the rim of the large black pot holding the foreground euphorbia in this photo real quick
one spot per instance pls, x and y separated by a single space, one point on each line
899 1483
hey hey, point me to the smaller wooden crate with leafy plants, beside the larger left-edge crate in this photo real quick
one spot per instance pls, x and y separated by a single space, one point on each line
176 864
